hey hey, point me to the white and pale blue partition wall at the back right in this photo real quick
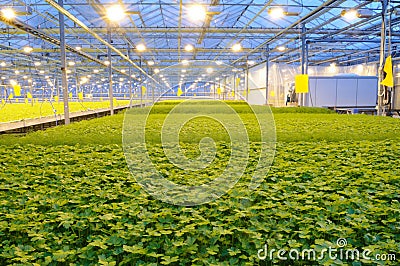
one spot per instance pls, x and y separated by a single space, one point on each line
281 77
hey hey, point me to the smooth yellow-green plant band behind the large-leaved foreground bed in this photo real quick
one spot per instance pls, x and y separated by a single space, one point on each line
290 127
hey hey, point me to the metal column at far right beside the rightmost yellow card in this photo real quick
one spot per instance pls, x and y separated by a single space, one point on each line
381 89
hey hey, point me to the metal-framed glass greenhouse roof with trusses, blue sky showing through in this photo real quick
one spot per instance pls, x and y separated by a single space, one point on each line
315 33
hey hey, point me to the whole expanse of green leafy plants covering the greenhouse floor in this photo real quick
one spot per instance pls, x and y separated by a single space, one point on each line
69 197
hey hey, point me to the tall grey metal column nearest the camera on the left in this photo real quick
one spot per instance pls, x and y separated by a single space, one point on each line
64 81
